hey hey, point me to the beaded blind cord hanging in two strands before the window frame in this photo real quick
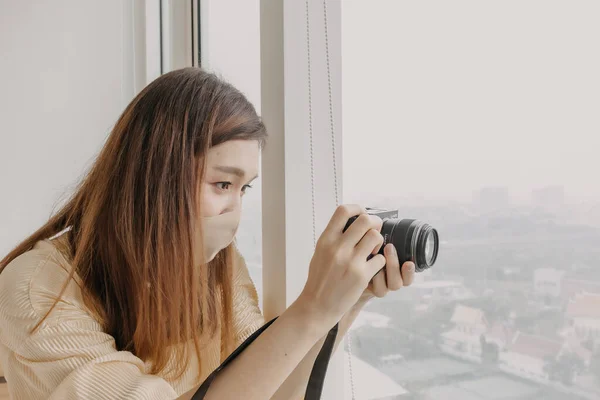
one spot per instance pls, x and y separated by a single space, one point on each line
333 146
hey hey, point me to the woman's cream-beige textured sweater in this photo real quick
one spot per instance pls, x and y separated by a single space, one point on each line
70 357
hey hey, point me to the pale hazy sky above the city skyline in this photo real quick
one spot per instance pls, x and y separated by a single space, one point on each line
441 98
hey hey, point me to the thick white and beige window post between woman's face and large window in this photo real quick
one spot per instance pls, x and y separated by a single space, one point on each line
287 190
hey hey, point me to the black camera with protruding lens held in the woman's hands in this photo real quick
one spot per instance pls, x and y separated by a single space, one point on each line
414 240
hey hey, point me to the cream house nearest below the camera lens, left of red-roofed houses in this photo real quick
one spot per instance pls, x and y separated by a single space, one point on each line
464 339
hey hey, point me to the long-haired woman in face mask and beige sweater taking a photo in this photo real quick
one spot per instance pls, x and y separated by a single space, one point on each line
134 289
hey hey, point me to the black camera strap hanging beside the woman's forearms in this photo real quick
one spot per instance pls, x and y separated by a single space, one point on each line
316 381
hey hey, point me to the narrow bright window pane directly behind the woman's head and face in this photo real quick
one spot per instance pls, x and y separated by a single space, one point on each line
213 48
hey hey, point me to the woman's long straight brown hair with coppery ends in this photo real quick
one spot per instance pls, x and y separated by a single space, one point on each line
131 222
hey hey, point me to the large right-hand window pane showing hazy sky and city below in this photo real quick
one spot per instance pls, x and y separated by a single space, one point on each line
480 118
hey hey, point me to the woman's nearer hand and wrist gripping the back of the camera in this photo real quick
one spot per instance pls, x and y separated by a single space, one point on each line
339 271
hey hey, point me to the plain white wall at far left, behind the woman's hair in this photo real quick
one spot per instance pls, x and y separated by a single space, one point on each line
65 75
